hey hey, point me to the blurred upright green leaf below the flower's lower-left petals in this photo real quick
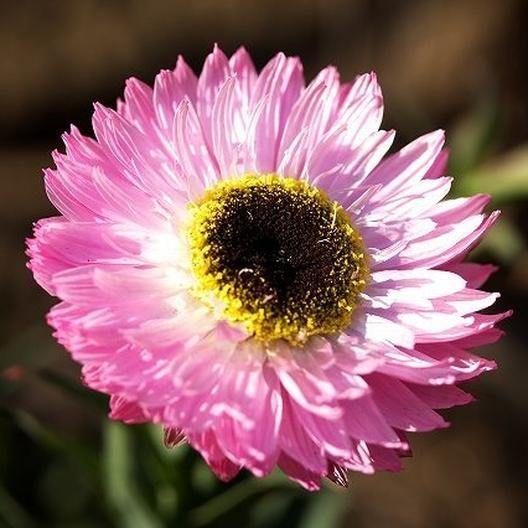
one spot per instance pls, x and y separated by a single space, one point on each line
121 487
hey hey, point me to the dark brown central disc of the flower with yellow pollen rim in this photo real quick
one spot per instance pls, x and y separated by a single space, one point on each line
279 255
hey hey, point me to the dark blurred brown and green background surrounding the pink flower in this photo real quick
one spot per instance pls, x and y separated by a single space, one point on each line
453 64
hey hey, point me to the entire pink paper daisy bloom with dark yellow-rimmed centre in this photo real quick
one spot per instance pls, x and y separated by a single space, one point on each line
240 260
